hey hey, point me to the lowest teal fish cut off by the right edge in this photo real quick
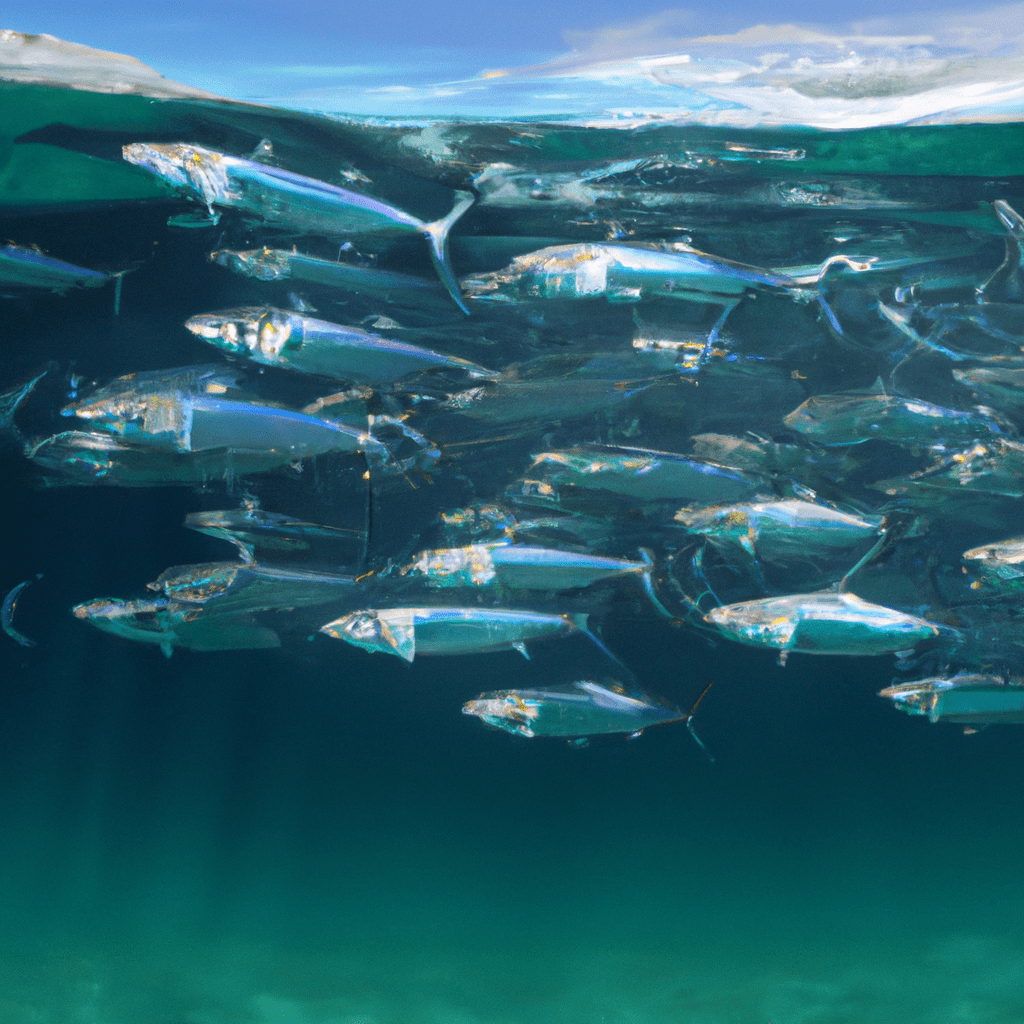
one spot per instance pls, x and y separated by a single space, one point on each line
970 699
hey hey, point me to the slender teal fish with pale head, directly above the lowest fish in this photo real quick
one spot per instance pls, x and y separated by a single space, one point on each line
407 632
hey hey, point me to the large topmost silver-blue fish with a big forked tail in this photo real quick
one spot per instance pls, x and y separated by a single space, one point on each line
293 202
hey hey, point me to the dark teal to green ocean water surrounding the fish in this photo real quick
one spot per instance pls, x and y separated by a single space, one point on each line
316 835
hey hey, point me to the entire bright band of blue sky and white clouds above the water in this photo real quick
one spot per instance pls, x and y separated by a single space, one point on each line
423 57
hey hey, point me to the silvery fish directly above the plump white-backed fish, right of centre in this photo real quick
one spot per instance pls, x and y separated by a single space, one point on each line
782 530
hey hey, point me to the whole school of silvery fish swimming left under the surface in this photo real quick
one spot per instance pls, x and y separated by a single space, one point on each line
567 393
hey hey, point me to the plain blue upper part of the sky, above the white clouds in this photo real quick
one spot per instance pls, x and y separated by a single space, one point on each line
319 32
